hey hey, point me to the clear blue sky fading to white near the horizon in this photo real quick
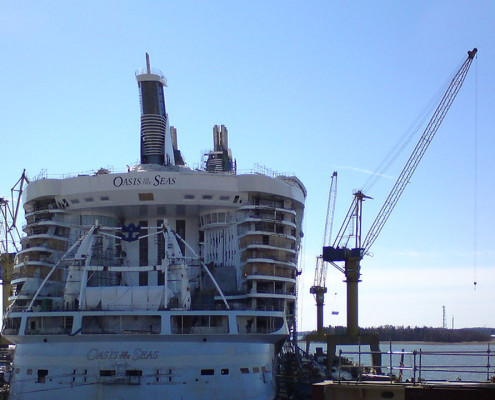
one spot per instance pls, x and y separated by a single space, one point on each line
304 87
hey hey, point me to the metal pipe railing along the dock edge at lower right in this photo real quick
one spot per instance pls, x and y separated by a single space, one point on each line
419 365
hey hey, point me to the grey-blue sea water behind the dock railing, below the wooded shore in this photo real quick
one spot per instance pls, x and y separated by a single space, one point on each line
433 361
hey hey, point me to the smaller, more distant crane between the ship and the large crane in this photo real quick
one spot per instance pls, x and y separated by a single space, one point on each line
319 287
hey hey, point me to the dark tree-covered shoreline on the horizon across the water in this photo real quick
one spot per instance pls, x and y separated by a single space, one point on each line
421 334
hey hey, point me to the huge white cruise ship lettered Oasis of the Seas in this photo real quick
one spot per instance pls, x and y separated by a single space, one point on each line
158 282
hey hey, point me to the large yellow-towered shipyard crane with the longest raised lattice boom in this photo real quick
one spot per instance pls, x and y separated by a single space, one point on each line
352 257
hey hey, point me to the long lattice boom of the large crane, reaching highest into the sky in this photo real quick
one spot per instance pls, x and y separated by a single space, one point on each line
418 152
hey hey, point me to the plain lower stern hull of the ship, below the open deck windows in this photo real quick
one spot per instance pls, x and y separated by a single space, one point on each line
130 367
